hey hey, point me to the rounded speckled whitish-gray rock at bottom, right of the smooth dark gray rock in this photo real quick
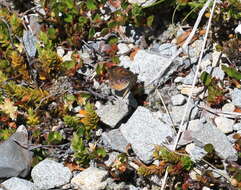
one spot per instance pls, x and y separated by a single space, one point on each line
49 174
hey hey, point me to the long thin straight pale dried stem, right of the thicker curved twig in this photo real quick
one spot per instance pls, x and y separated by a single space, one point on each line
196 75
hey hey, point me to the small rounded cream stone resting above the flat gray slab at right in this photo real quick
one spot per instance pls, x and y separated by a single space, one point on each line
224 124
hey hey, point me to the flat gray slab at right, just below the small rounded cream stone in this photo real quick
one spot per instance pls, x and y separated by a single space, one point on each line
211 135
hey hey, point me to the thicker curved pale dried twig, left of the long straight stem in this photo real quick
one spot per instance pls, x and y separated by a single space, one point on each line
184 46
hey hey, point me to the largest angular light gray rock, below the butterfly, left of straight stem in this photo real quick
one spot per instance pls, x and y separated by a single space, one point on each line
143 131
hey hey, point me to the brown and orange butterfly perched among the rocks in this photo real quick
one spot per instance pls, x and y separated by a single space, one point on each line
121 79
